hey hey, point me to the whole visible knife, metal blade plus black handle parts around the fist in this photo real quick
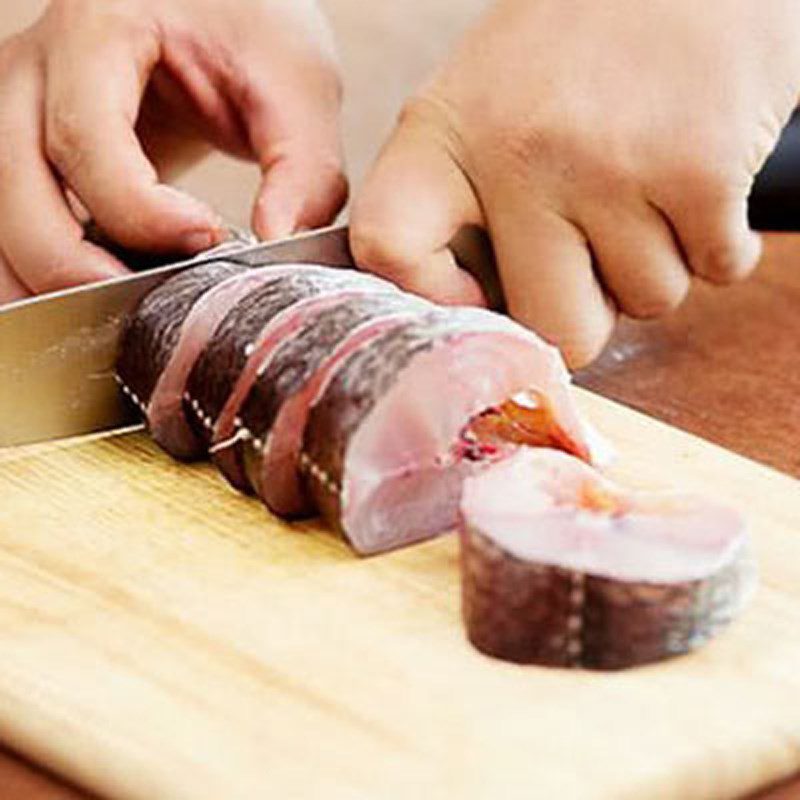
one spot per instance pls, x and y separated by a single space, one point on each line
57 351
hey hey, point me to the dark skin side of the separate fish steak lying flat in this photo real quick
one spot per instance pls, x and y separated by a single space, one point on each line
534 613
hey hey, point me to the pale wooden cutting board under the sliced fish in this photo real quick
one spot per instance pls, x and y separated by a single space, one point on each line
162 637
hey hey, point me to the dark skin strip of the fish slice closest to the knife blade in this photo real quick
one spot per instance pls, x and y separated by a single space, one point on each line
153 330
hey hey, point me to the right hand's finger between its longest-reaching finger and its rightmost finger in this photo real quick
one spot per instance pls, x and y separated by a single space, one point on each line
638 258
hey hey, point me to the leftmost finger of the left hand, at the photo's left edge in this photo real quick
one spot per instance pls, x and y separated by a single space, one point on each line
41 239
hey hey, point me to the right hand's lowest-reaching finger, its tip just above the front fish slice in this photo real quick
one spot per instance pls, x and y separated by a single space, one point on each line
546 269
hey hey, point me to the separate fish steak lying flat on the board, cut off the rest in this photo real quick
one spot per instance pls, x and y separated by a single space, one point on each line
561 567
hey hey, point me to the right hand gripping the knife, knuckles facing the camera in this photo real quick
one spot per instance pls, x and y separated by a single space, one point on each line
608 148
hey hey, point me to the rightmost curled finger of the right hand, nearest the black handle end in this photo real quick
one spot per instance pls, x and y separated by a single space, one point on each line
711 223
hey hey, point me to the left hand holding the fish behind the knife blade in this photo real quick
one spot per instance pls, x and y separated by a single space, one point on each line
103 99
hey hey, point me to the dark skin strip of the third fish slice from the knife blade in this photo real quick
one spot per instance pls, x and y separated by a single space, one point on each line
298 359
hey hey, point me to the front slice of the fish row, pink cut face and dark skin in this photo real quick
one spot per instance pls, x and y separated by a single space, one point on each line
381 445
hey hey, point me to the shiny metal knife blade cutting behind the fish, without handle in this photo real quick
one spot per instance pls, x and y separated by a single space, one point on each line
57 351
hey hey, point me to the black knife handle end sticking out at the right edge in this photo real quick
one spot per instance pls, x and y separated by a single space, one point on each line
775 198
